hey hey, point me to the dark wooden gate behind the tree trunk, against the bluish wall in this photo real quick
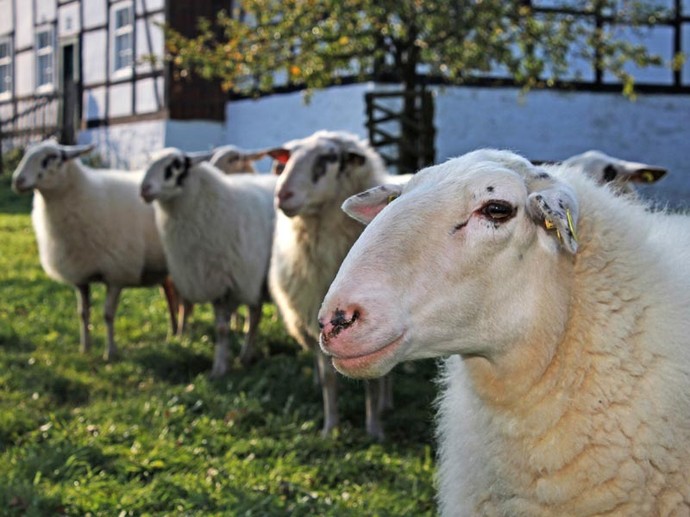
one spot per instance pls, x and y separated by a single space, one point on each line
401 128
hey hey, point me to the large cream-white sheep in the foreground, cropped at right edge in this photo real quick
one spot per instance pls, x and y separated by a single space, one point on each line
564 310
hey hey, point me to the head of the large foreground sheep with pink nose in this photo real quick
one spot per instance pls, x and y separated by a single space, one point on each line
463 259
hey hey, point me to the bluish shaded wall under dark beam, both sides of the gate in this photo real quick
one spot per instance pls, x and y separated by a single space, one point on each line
543 125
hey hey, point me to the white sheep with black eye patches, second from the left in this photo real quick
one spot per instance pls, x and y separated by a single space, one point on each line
217 232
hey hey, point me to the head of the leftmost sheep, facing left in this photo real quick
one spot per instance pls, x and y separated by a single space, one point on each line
43 165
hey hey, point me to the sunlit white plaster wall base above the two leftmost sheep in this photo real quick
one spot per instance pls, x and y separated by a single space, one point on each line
126 146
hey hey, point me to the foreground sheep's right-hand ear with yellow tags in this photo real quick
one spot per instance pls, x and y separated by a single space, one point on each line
556 209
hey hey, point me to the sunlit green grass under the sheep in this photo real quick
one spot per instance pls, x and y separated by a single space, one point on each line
151 434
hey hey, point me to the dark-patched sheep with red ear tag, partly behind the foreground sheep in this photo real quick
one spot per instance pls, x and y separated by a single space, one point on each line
312 237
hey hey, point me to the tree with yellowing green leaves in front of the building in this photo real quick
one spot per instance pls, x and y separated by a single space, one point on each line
318 43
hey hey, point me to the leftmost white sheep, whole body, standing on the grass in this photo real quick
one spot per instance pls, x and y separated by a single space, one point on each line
90 227
